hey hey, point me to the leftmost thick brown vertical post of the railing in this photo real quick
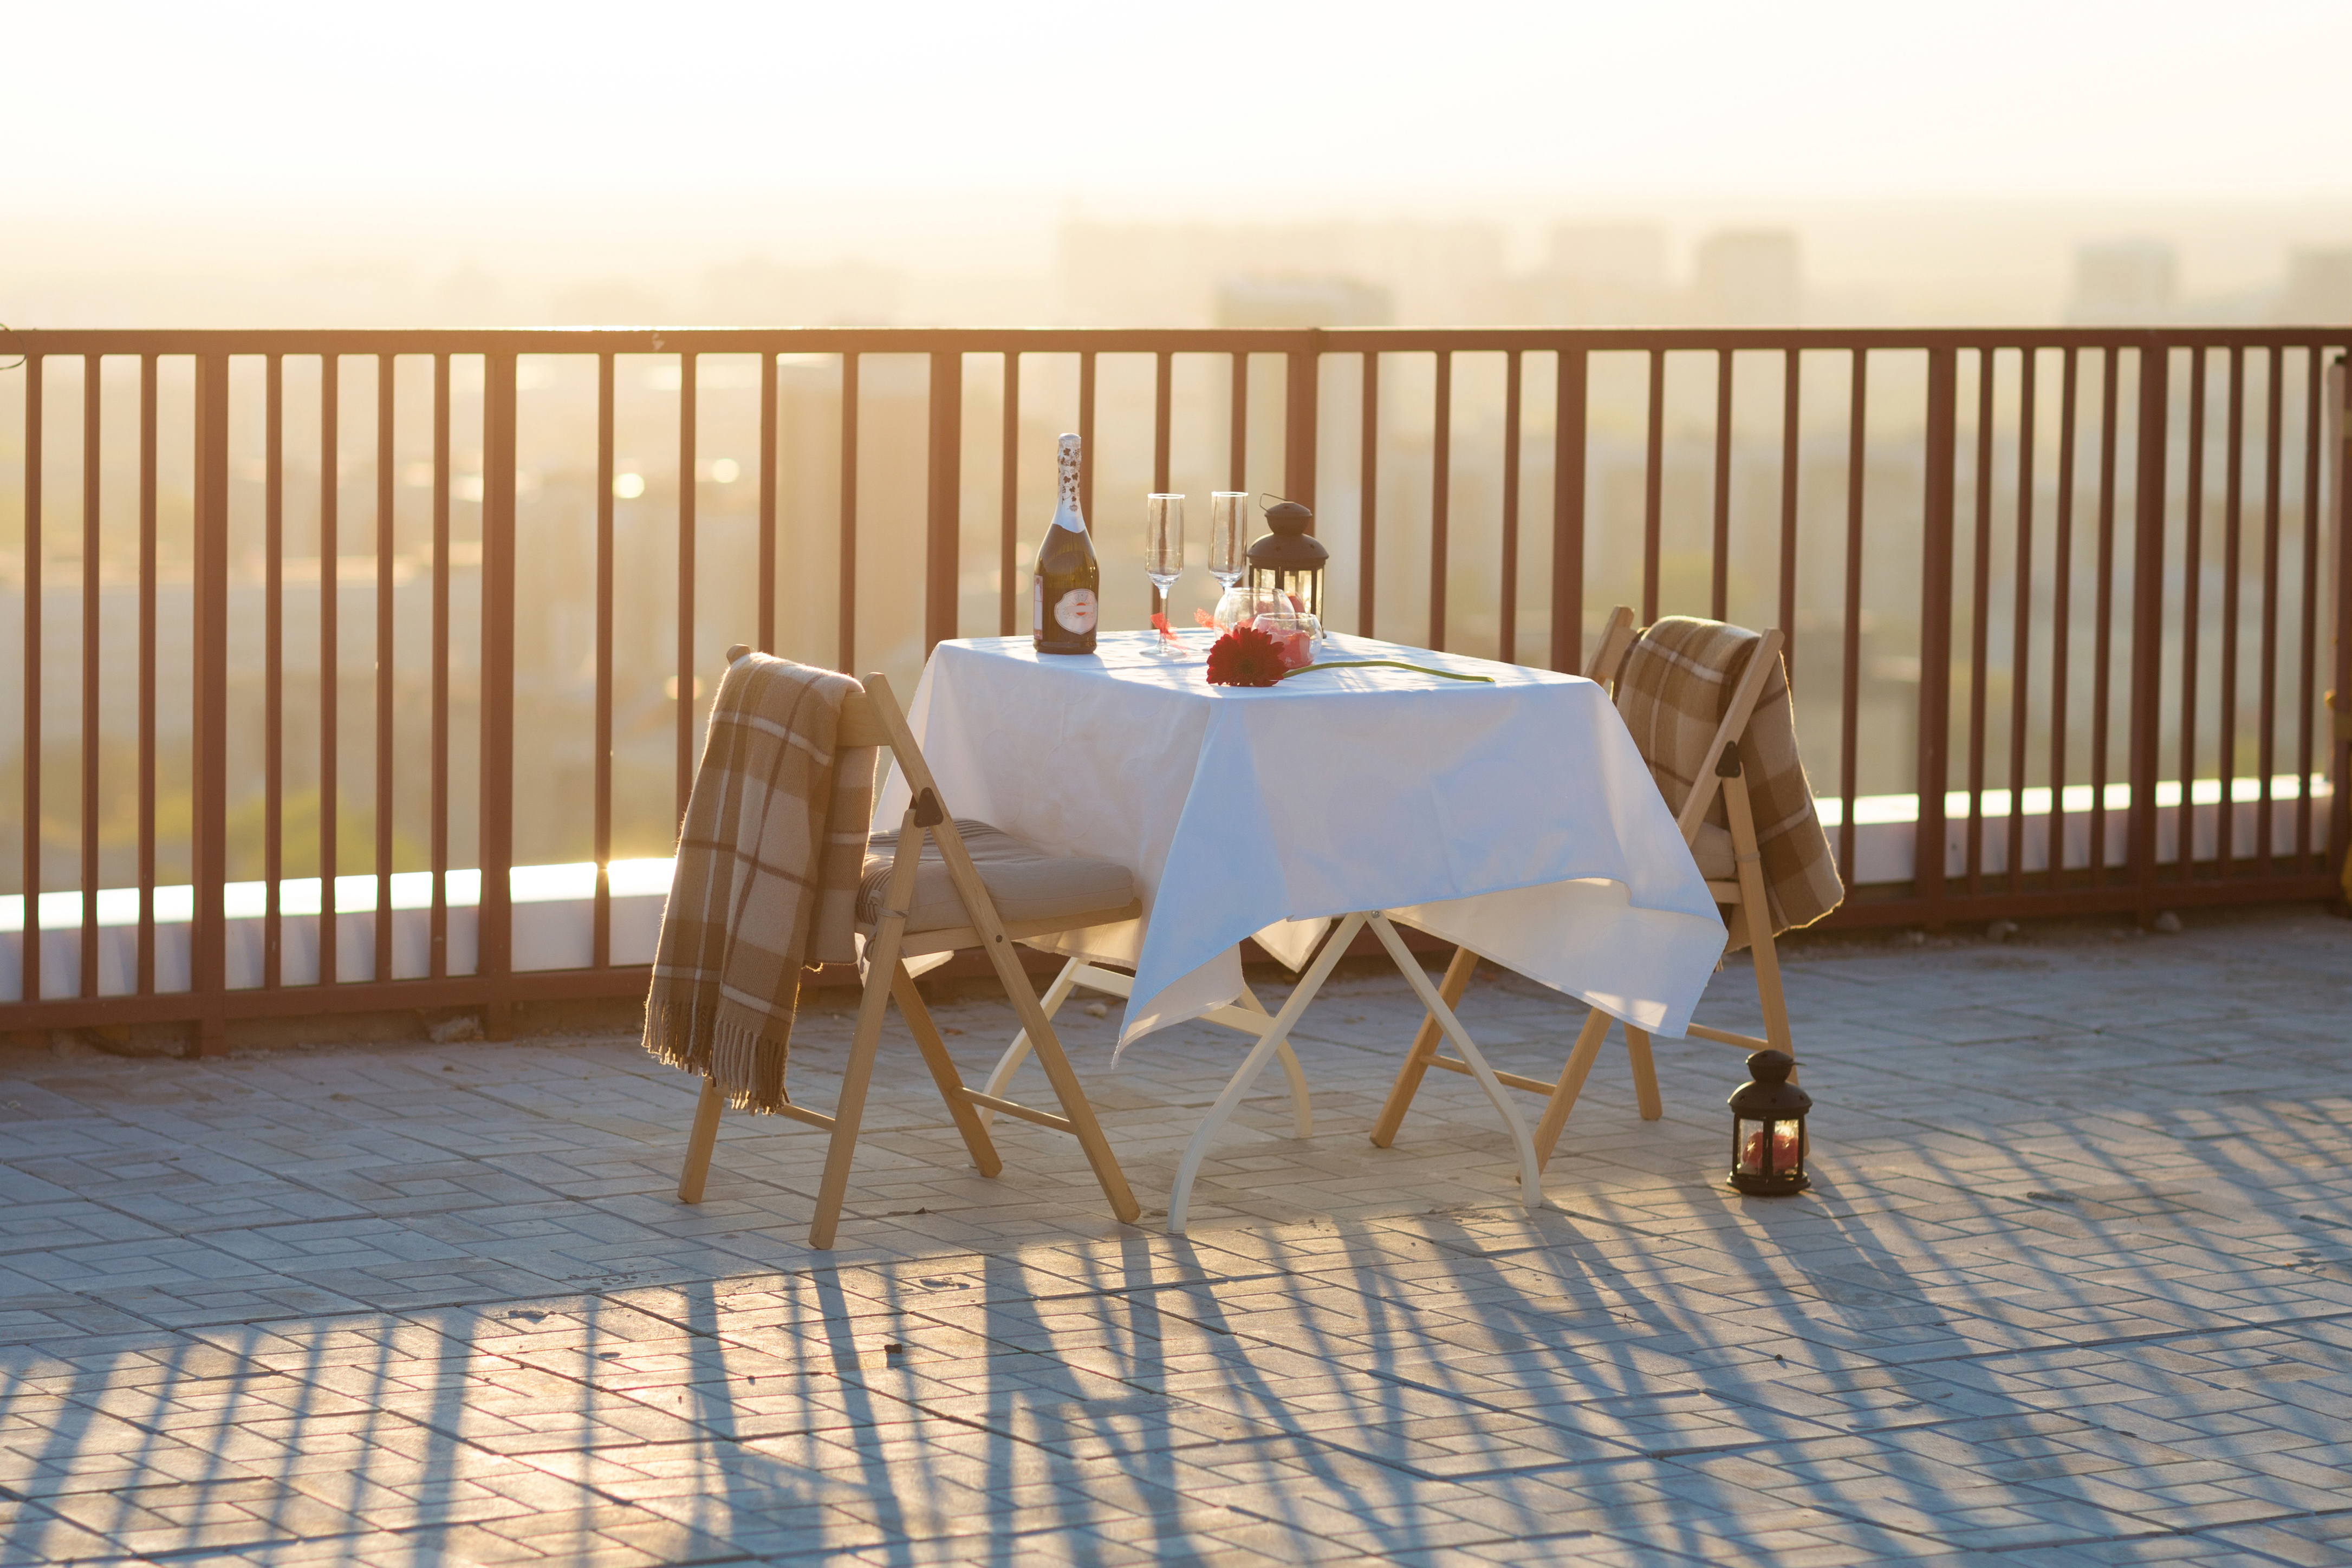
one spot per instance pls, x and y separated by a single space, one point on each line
208 949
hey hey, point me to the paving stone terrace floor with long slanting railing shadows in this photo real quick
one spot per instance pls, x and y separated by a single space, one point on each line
2073 1287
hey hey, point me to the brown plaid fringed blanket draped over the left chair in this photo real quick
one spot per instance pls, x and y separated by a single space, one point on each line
768 878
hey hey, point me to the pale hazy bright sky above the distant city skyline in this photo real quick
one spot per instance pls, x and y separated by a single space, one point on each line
119 105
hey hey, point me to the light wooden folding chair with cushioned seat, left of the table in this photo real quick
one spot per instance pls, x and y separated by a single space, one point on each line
973 920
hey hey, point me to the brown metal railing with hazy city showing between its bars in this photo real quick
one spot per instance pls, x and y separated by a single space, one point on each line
335 605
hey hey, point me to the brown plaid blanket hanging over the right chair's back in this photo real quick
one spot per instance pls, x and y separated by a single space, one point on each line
1671 692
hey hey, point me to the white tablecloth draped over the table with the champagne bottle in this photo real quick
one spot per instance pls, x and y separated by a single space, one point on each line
1514 817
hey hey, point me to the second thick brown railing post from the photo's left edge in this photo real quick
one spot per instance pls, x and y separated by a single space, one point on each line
497 911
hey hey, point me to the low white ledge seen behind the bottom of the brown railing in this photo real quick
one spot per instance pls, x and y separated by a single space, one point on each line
556 904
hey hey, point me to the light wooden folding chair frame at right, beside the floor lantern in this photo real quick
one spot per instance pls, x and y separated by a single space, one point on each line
1737 885
